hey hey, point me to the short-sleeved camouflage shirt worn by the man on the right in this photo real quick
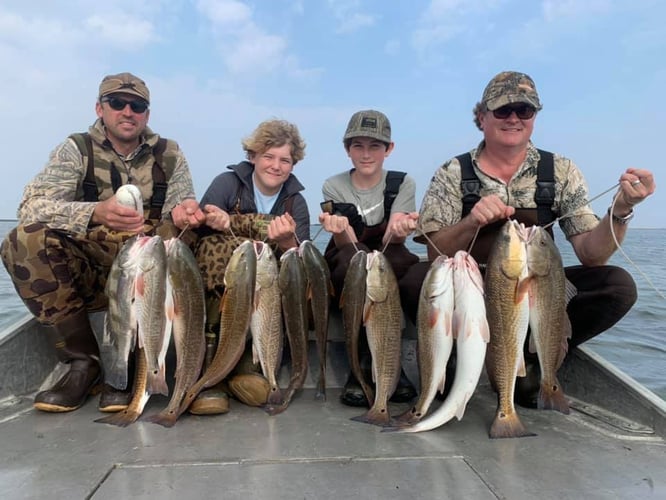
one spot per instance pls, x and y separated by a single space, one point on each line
442 204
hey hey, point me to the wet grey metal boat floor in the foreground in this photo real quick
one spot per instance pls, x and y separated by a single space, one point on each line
314 451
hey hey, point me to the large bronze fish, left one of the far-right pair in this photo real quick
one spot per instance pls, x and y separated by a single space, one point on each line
507 310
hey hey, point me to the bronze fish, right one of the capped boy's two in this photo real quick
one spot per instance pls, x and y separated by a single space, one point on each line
383 316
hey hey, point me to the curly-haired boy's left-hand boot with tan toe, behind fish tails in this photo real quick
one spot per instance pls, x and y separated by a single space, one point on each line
215 400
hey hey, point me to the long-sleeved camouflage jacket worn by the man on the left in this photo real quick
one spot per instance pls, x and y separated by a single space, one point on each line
55 196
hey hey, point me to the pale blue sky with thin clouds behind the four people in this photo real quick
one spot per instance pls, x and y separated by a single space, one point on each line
216 68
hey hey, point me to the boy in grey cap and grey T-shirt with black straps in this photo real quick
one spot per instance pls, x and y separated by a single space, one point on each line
369 208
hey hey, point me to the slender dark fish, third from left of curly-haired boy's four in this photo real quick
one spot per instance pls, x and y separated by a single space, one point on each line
293 282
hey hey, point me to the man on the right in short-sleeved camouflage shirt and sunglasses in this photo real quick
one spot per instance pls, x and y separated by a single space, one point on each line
506 176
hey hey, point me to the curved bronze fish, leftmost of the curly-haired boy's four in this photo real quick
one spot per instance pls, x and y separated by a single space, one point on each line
236 309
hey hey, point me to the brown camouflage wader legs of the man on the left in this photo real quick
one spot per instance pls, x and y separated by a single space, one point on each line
57 273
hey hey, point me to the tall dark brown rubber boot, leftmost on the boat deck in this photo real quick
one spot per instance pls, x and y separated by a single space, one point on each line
75 345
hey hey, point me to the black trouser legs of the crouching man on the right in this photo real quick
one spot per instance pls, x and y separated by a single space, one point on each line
605 295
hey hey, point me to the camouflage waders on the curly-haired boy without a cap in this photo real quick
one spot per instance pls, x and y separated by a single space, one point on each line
214 251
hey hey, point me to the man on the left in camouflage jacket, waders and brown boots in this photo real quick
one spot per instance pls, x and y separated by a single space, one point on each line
71 227
